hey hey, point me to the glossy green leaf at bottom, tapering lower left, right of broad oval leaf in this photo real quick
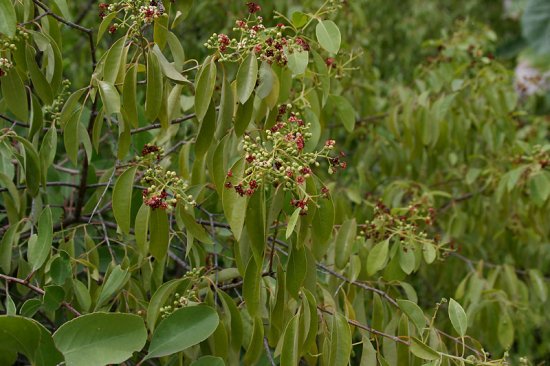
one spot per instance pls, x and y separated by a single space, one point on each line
182 329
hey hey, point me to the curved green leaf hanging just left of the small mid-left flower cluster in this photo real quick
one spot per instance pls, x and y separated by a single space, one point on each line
122 199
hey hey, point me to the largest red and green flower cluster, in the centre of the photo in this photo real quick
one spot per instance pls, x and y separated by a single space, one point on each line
280 159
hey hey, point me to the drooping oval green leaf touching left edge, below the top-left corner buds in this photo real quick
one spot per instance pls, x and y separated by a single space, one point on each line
13 91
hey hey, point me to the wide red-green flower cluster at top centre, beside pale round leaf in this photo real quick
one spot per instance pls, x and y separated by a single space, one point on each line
270 44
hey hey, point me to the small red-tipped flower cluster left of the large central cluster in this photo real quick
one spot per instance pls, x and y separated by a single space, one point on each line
164 188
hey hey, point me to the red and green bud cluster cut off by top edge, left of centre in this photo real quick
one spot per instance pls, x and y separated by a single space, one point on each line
133 14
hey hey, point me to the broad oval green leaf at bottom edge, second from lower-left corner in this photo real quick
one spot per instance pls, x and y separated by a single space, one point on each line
100 338
